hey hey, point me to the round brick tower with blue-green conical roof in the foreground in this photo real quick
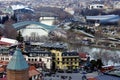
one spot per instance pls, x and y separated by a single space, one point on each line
17 68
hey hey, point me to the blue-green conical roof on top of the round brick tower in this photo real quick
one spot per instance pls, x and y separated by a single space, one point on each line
17 61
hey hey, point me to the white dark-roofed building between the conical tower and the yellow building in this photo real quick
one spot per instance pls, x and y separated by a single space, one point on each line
42 59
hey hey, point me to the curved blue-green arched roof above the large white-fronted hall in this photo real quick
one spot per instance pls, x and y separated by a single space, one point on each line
23 24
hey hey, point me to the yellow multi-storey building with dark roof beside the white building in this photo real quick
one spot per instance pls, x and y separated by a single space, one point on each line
66 60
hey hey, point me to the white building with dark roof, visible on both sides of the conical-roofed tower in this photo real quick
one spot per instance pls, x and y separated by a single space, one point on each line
40 59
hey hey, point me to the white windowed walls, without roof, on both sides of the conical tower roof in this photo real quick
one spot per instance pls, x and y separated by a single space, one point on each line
47 60
